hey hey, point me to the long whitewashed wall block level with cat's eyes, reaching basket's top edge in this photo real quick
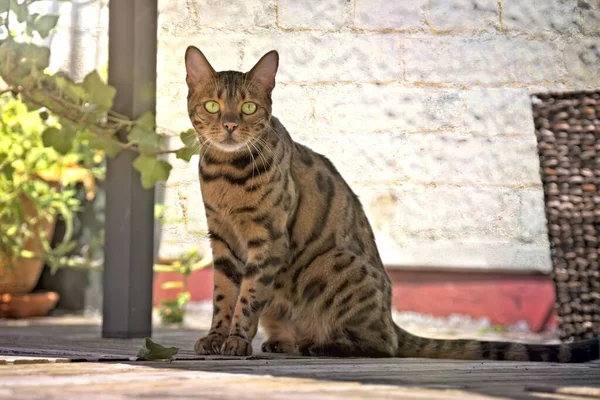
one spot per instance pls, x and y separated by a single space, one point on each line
393 108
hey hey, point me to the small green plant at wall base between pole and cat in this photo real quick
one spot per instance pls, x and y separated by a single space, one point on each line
173 311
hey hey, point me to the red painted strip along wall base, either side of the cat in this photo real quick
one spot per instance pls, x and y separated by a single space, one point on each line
503 298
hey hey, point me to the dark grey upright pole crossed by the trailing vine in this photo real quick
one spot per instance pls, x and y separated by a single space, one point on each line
129 230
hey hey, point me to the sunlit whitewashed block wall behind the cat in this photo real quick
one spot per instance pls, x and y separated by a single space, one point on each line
423 106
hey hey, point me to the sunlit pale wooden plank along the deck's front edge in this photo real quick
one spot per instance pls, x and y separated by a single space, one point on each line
125 382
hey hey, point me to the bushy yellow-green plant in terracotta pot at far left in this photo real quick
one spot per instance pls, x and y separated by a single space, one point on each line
37 186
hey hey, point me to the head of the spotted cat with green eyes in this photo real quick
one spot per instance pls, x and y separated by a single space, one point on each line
229 109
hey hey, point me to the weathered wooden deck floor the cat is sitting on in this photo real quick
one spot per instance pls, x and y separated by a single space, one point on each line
67 361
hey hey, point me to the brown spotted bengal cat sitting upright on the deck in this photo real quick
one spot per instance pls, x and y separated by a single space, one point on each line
292 246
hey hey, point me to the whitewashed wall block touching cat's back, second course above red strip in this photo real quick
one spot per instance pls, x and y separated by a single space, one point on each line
446 212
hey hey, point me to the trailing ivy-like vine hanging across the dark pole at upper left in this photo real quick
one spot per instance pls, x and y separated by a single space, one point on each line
84 109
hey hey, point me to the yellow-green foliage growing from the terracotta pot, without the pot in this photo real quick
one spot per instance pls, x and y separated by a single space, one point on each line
37 184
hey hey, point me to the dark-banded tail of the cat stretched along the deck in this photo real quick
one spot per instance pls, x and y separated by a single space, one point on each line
576 352
